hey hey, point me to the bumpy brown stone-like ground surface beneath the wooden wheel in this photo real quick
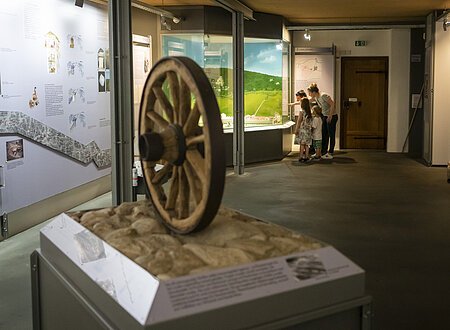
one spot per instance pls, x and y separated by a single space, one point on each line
232 239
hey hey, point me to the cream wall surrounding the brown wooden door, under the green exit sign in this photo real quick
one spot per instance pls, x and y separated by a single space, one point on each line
392 43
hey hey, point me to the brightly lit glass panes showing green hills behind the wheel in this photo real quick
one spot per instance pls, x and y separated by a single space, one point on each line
266 74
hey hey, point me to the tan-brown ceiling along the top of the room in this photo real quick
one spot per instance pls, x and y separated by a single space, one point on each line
328 12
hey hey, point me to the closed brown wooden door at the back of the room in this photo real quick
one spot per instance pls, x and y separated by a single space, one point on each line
364 102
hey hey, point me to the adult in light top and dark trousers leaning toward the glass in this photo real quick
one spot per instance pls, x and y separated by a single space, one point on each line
329 119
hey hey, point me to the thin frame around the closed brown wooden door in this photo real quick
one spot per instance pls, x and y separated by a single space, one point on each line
342 126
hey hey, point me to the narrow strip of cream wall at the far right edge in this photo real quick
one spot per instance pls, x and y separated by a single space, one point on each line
441 100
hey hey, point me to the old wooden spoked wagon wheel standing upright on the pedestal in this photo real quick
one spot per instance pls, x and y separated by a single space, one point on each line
180 128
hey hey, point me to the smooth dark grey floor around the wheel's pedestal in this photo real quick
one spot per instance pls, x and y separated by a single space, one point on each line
386 212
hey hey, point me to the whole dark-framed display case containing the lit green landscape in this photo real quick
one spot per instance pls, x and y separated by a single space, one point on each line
205 35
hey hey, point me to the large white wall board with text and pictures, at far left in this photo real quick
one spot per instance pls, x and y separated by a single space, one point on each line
54 98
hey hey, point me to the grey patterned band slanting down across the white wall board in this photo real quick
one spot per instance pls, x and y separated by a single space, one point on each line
18 123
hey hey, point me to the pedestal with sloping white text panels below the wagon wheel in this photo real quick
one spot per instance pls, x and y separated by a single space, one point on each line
79 281
